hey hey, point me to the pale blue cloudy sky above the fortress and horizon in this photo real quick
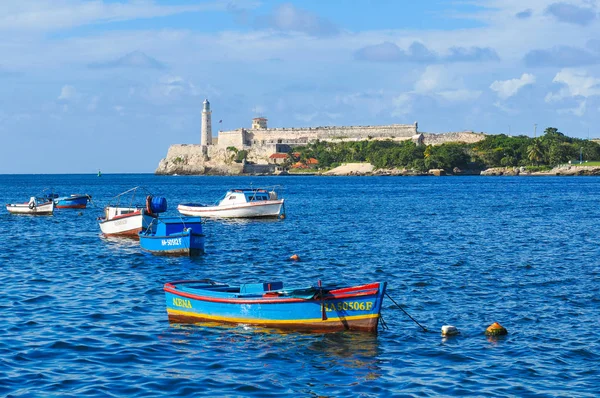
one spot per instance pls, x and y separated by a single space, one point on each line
88 85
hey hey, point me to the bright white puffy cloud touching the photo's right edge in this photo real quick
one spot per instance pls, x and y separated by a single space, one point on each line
575 83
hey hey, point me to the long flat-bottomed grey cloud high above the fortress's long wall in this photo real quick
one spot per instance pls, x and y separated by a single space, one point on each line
419 53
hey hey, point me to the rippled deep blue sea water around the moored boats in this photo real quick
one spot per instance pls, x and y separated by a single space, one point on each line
82 315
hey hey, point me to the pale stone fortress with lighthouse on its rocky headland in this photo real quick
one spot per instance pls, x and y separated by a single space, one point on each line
266 147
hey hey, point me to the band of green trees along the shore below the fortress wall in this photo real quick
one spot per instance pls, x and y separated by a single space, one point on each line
551 149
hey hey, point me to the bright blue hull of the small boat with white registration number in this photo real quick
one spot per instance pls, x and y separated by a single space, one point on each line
187 243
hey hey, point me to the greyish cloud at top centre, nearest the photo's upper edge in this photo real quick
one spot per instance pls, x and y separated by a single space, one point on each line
288 18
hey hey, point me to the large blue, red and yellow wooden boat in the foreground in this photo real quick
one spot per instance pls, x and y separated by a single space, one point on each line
308 309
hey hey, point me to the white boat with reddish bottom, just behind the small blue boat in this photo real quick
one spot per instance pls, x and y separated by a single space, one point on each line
124 216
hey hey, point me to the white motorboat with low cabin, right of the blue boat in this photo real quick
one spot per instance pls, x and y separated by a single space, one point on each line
239 203
